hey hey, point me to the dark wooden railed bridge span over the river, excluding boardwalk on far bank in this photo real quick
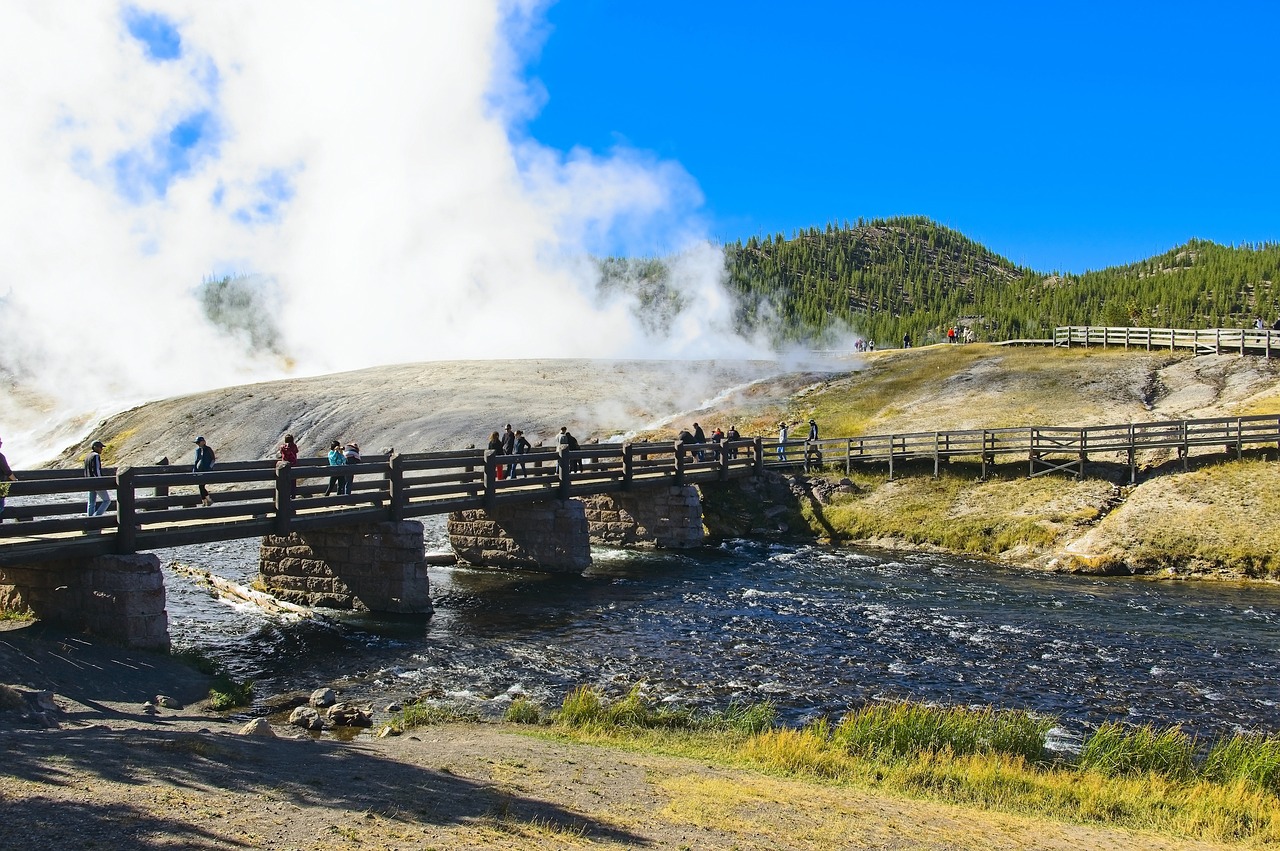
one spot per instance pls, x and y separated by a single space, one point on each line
161 506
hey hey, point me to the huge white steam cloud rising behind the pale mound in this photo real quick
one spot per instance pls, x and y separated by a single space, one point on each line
356 180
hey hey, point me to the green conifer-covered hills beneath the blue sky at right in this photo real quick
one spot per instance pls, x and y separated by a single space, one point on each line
911 276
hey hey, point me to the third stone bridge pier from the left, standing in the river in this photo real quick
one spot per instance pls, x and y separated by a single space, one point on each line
551 537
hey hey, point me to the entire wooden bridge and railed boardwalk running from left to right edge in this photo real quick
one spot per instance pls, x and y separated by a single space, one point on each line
159 507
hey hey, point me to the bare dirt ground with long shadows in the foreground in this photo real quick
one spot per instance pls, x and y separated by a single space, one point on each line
107 776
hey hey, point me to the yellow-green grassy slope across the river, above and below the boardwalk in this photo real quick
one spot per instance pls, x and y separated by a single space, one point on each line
1215 521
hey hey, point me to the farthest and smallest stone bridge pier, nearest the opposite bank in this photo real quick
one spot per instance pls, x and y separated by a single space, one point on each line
656 518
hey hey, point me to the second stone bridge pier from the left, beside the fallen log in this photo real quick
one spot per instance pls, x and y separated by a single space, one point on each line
381 568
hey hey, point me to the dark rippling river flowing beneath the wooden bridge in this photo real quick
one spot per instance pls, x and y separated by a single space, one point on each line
815 630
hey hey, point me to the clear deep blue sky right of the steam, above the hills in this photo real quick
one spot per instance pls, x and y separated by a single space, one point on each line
1063 136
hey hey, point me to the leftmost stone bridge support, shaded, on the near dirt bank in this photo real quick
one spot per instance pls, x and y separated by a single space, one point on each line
118 598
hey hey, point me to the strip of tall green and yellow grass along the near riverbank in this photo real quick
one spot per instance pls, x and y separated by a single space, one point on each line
1133 779
